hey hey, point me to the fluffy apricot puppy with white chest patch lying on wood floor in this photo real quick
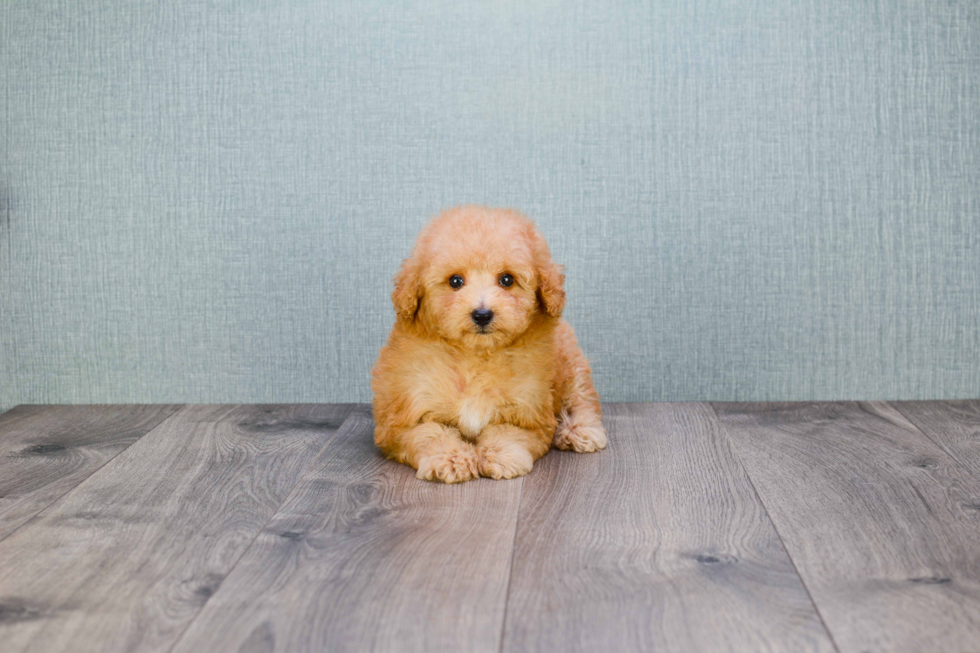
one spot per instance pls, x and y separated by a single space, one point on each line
480 375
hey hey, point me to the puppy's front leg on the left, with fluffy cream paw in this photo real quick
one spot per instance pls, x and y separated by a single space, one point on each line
439 453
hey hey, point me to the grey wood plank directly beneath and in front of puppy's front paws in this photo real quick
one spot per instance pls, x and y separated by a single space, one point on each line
365 557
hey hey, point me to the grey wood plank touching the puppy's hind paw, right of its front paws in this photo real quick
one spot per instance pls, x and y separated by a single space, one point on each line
657 543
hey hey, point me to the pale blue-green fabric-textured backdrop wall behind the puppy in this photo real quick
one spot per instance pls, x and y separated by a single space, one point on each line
205 201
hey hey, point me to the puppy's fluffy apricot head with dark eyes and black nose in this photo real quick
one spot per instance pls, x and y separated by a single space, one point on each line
478 277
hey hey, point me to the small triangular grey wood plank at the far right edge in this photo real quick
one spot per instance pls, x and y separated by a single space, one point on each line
953 425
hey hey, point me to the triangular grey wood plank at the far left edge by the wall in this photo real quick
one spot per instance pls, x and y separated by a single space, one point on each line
45 451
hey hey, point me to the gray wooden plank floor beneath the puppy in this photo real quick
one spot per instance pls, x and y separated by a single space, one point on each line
846 527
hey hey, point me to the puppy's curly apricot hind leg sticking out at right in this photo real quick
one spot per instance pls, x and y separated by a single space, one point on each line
580 421
